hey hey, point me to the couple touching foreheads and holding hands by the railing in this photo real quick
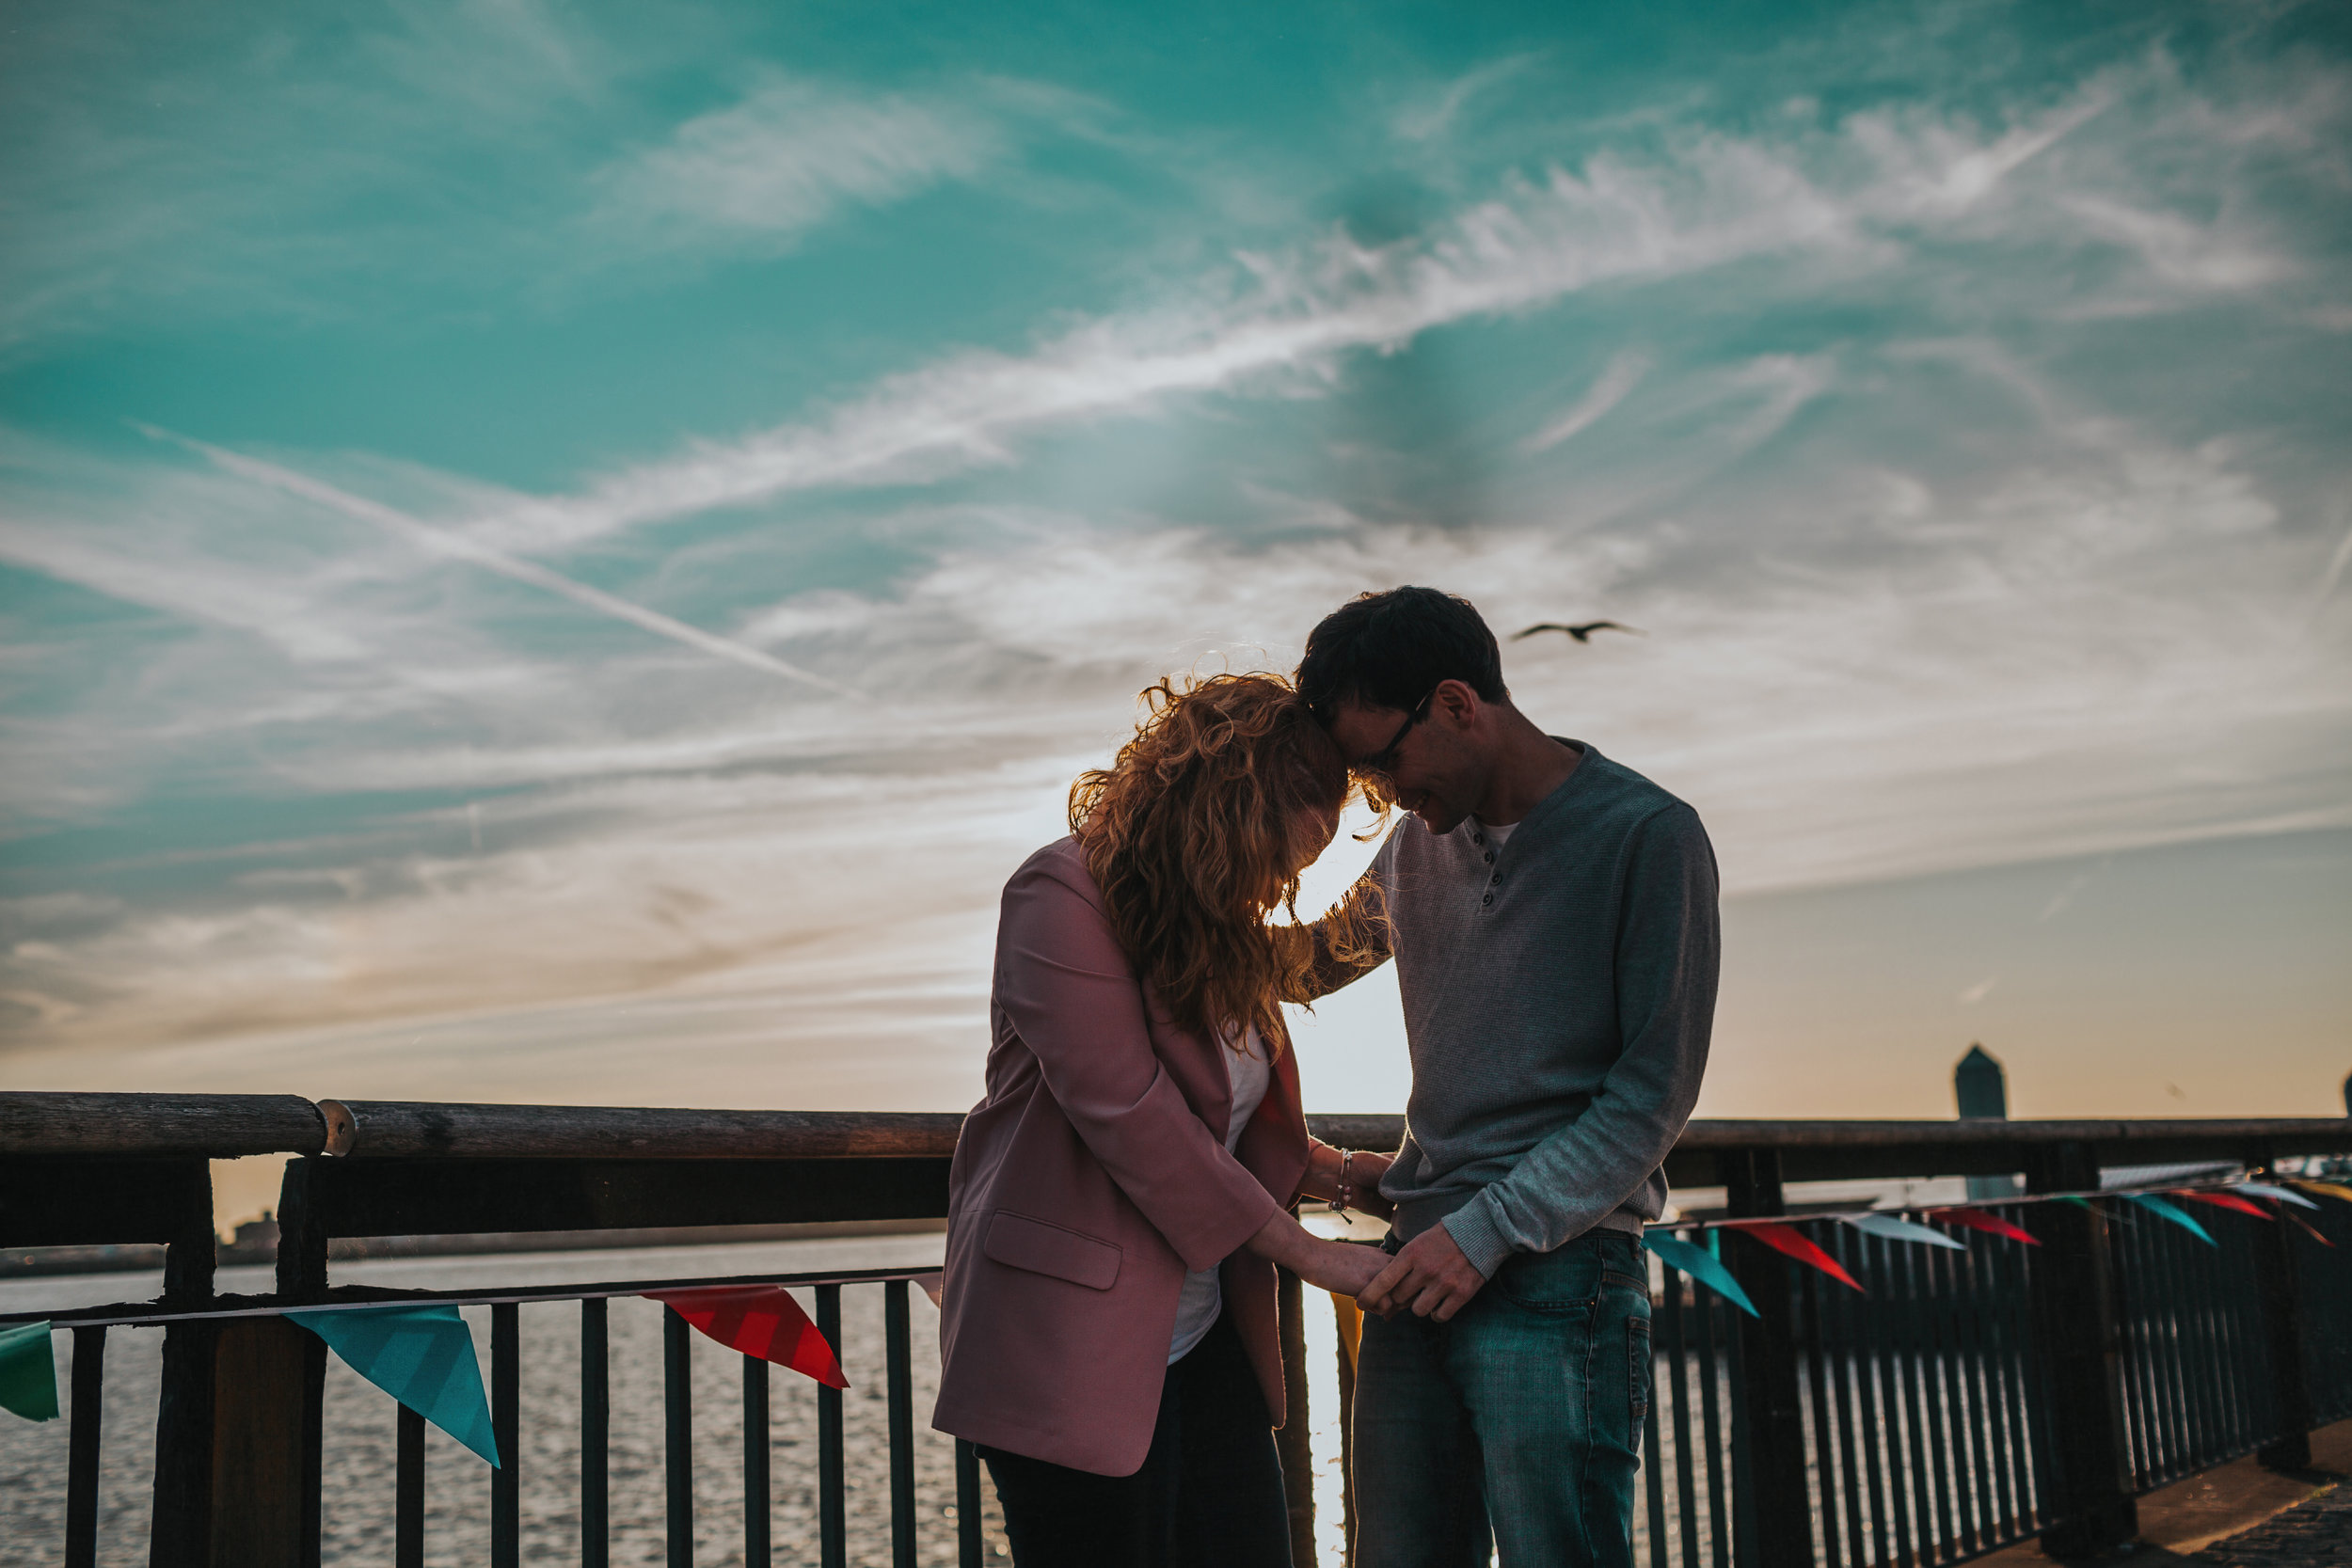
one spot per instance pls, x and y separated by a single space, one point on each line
1125 1191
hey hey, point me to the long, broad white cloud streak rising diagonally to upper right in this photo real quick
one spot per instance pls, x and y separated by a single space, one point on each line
1845 203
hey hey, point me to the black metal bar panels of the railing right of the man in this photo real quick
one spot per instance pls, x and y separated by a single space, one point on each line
1927 1405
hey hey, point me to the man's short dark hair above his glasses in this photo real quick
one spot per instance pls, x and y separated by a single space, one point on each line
1391 650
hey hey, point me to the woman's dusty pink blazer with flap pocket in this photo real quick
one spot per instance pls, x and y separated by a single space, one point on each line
1090 1179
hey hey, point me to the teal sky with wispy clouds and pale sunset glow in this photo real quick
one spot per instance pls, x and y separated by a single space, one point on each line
563 554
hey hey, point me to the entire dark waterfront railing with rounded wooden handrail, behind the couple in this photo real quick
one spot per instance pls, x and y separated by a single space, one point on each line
1965 1402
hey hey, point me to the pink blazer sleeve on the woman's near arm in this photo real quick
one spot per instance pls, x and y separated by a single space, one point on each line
1074 998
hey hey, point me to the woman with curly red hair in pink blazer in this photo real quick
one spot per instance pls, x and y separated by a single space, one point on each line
1121 1198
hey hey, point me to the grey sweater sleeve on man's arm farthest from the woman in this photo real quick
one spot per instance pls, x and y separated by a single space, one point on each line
1666 963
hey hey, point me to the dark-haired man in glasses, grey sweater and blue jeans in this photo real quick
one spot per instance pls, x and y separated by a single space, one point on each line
1556 942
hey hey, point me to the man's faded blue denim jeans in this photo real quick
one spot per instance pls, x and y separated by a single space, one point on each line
1521 1416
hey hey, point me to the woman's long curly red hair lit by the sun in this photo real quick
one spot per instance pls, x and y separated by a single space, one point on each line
1189 836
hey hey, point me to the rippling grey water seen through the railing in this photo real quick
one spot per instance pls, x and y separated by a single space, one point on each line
359 1419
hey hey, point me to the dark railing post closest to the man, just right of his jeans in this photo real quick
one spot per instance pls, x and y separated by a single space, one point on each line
1772 1419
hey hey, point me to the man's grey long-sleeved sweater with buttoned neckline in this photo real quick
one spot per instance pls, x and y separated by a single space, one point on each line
1558 998
